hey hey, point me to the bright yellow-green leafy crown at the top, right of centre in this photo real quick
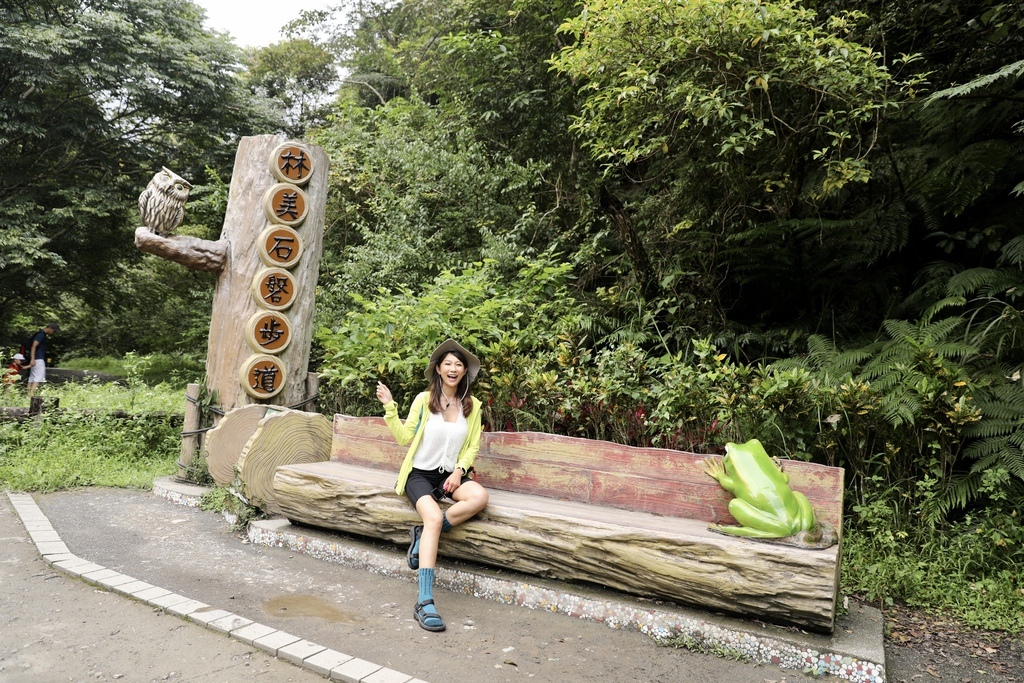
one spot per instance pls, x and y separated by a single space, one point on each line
703 83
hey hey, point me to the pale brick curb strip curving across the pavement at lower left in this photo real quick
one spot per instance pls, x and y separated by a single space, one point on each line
330 664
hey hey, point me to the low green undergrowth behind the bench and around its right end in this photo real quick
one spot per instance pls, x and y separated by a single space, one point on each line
899 415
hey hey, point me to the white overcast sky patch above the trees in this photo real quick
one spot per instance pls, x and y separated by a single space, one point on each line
257 23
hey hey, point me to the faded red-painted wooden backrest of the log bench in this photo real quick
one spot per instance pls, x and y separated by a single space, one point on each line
658 481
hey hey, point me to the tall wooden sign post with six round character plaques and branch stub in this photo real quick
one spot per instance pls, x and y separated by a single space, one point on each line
268 261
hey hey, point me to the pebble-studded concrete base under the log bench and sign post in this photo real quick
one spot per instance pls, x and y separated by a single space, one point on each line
855 653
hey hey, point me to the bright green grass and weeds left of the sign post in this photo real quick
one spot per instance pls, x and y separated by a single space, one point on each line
68 449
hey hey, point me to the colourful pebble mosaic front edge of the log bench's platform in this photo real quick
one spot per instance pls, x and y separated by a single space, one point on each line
664 627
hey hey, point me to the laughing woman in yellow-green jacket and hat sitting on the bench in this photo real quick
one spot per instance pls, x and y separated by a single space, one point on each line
444 430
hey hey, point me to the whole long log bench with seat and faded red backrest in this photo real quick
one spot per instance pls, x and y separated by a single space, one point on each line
628 519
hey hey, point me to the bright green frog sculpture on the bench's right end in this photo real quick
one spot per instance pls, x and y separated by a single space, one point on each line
764 505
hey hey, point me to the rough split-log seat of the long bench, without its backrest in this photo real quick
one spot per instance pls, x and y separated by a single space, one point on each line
645 554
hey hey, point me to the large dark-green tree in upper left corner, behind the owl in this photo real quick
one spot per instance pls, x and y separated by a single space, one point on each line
95 98
